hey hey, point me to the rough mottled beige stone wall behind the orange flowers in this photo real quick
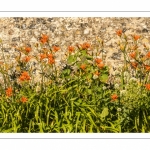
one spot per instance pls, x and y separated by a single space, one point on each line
66 31
